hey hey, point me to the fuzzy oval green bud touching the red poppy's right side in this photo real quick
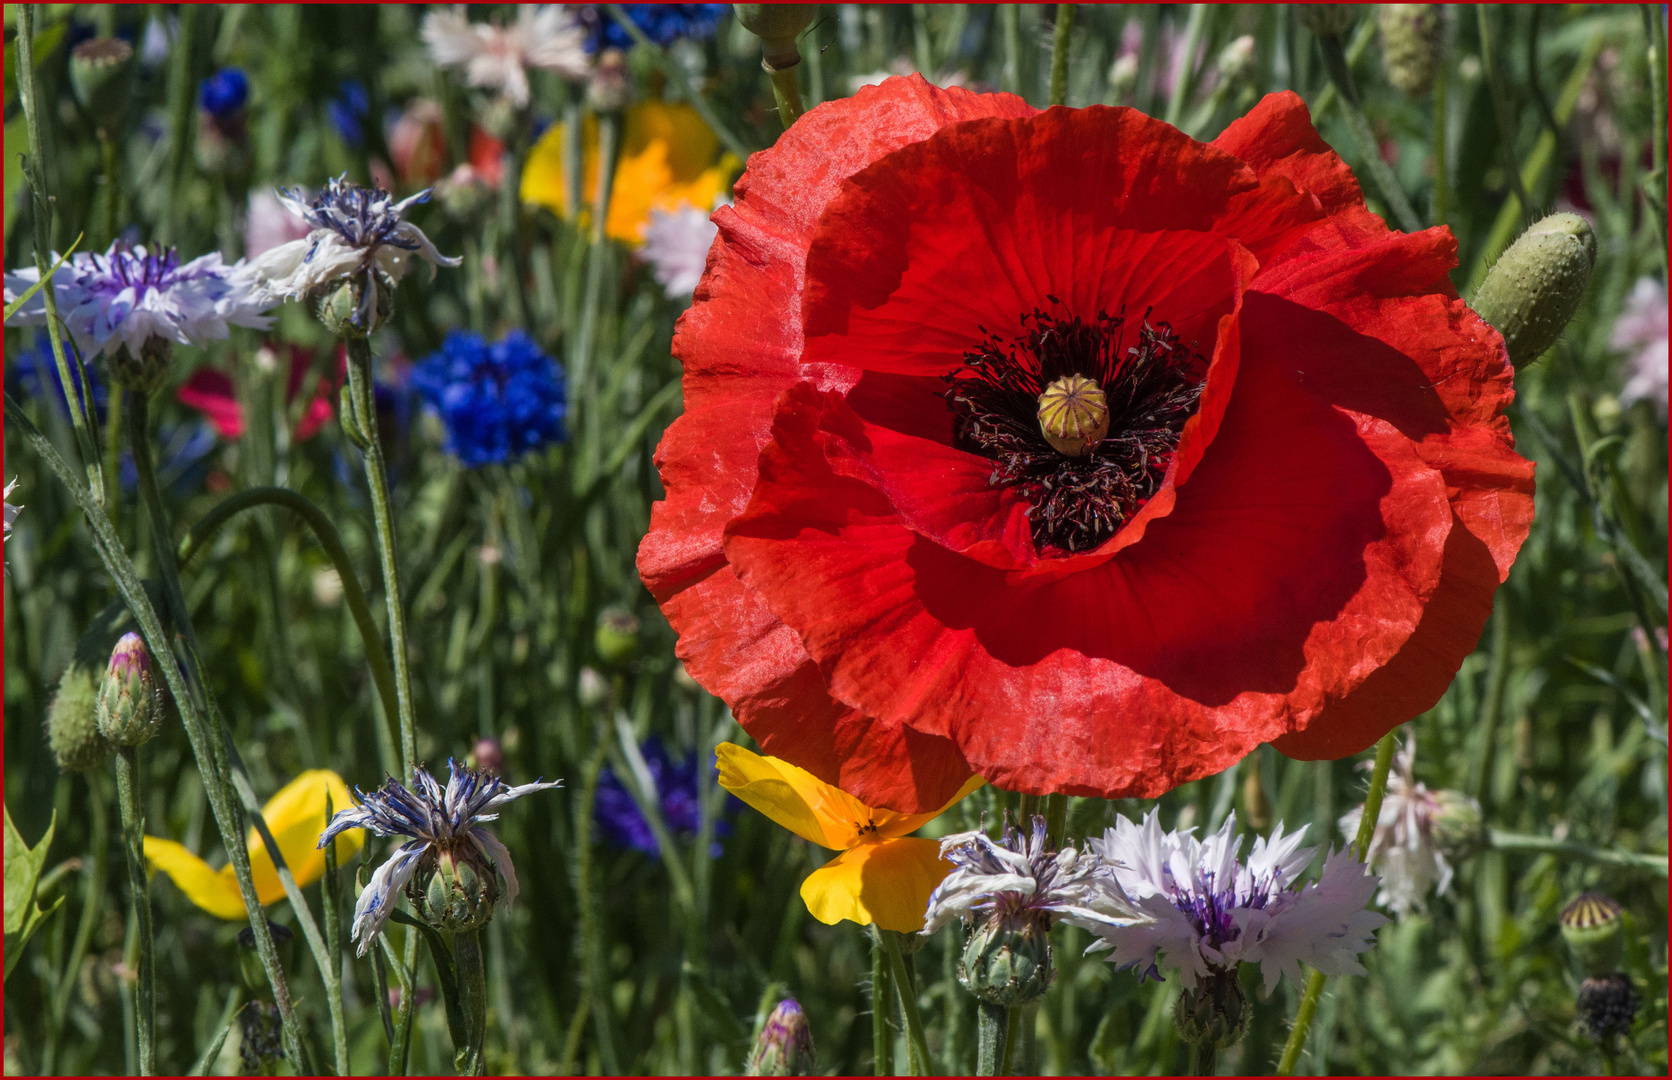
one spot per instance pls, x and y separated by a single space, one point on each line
1536 288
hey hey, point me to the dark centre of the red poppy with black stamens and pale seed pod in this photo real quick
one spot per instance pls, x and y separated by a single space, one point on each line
1083 417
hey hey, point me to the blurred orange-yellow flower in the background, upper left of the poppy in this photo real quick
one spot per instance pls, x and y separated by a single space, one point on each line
670 160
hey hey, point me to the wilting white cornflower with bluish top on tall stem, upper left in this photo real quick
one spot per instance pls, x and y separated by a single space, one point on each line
355 233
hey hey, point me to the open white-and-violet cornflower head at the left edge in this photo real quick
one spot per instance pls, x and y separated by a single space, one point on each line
130 295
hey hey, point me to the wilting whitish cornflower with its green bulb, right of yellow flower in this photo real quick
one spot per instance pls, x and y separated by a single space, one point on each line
1014 890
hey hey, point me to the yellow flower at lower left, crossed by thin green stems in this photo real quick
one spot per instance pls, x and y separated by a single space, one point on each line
297 818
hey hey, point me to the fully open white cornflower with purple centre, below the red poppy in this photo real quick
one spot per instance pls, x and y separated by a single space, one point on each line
1210 912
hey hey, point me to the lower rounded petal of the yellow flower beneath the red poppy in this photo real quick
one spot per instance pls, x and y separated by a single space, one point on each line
887 884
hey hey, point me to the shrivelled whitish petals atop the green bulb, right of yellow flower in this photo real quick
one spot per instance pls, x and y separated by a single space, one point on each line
1017 882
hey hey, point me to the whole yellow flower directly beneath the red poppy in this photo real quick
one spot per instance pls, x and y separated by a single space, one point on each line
882 875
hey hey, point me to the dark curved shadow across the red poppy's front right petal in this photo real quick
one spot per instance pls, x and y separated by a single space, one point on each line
1268 539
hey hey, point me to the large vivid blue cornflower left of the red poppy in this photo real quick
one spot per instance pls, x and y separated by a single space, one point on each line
496 400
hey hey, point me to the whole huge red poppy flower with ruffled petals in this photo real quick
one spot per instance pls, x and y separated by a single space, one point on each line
1063 449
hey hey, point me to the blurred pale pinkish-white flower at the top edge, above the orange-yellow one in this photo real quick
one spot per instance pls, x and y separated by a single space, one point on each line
497 58
